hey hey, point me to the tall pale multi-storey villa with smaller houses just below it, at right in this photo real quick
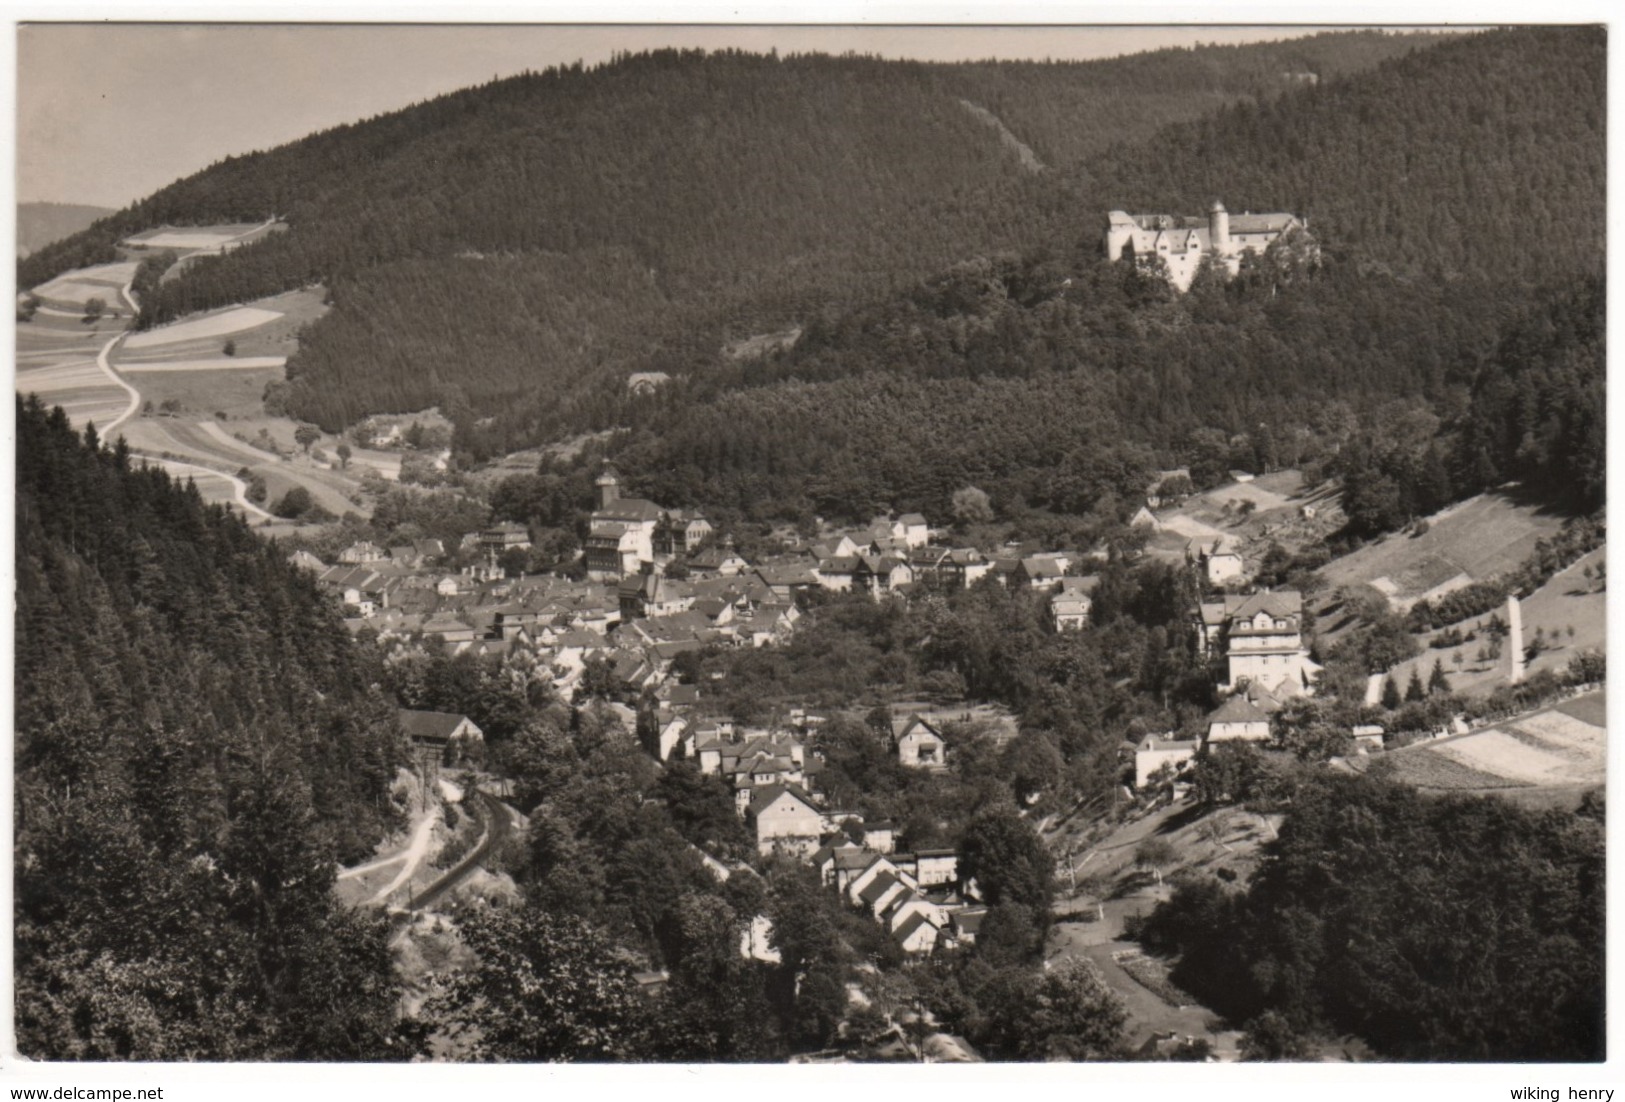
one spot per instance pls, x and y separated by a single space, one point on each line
1257 646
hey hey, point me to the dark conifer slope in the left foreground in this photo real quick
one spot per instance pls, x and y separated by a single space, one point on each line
197 744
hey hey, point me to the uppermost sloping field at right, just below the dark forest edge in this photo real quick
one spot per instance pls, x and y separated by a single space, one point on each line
1465 544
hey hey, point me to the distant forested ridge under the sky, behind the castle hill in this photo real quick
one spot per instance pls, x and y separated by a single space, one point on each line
721 194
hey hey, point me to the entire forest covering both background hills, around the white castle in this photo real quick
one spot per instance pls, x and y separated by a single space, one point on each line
508 256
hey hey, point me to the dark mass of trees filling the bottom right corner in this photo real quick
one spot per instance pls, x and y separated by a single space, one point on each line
1432 927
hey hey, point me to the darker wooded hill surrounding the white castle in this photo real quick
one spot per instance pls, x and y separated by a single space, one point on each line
1393 336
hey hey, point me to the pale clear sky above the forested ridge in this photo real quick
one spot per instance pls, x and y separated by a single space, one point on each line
111 113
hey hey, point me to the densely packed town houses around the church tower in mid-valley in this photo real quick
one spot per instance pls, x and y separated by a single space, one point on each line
635 610
